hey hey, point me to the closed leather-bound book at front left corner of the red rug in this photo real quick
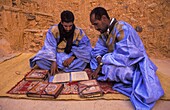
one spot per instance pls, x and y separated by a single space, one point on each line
45 90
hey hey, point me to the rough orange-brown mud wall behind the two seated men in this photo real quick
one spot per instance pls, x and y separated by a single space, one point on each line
25 22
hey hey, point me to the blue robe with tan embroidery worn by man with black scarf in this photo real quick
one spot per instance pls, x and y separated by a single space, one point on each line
81 48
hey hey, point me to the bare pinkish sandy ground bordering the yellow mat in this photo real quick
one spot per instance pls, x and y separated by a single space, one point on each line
22 104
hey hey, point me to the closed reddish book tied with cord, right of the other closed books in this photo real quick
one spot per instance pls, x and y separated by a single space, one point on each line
89 89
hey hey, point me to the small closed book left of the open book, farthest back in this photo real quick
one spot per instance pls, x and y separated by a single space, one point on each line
36 75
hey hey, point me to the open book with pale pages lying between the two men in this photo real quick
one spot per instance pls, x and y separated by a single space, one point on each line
69 77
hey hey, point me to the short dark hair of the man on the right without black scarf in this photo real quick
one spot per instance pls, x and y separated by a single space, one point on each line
99 12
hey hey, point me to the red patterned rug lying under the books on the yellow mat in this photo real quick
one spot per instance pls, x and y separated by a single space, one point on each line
69 88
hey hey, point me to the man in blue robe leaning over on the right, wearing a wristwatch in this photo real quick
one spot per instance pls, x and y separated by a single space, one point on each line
119 56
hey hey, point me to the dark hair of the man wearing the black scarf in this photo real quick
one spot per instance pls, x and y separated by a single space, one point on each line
67 16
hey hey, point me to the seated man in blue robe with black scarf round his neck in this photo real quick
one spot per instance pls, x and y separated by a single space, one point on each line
66 47
